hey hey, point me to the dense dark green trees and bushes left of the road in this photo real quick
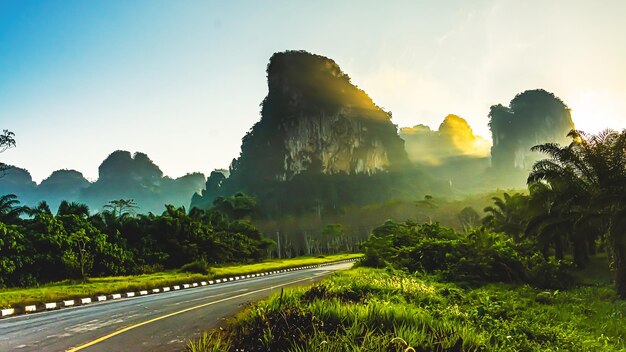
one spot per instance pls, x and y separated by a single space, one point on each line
76 245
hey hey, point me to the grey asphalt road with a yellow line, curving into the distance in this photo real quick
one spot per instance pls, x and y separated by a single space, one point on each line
159 322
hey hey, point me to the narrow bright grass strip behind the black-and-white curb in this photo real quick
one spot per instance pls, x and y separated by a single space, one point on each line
65 290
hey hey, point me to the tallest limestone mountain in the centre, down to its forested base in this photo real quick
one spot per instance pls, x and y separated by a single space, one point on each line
317 131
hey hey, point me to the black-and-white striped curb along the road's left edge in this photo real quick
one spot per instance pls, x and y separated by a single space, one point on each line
36 308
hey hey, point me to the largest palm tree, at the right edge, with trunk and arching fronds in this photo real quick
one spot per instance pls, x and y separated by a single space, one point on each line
591 173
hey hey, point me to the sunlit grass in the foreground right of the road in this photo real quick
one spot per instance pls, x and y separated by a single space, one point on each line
378 310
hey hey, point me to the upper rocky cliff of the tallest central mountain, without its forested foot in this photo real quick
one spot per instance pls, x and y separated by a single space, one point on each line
314 119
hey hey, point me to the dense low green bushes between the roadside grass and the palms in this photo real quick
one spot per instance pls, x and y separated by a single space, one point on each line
478 257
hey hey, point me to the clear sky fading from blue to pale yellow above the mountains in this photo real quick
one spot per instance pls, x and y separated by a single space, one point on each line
182 80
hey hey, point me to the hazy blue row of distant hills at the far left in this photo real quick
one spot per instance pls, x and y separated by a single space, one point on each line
121 176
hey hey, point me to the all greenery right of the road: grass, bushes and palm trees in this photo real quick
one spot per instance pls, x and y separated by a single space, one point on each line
542 271
